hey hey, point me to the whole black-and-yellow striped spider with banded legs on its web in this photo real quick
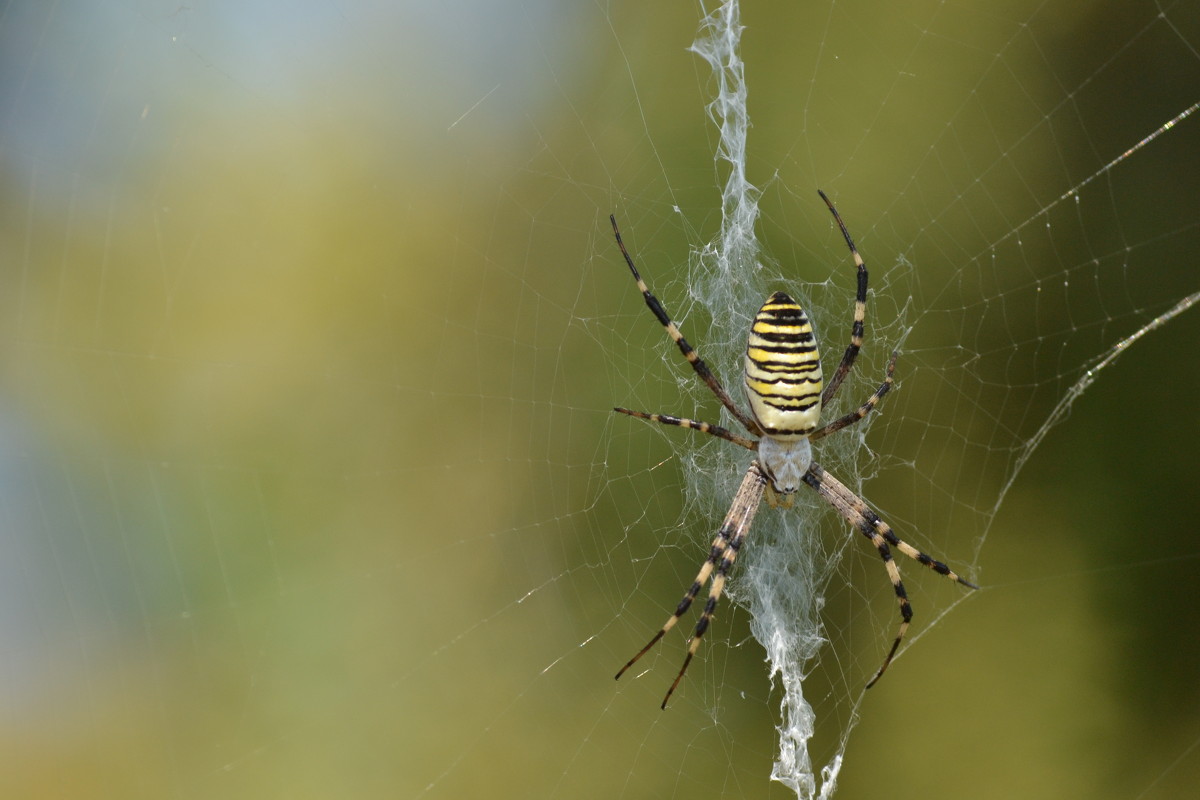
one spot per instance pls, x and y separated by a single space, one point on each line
784 387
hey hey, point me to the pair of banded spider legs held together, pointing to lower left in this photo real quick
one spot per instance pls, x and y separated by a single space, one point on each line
724 552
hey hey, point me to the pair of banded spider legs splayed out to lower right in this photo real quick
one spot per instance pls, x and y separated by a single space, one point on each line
857 514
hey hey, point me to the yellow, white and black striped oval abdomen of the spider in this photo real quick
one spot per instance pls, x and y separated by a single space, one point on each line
784 370
